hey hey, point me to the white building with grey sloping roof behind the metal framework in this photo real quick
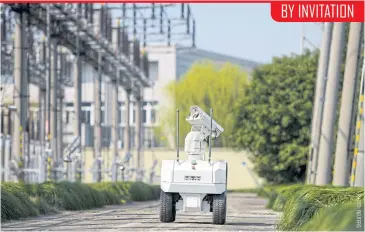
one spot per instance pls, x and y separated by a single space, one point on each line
166 64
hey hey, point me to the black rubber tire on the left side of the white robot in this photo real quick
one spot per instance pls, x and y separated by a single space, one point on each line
167 209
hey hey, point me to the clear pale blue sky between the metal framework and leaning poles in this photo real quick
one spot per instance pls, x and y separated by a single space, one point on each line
248 31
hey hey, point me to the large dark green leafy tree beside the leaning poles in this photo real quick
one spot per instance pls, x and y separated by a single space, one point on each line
273 120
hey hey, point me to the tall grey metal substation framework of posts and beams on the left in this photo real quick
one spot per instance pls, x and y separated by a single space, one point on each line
53 38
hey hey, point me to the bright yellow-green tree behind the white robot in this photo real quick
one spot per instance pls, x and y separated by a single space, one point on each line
207 86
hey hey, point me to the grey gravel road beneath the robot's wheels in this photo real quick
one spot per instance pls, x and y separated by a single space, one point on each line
246 212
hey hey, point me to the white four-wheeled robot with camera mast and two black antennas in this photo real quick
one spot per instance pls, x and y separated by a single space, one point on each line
195 184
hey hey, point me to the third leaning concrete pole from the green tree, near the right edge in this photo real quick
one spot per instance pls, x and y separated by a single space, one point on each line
344 138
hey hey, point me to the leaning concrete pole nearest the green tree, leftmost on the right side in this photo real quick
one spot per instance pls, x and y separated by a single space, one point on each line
319 101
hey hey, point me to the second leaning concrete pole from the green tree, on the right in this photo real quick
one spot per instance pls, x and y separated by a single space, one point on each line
329 111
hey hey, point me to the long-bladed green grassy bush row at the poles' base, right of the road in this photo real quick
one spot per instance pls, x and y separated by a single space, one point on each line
313 208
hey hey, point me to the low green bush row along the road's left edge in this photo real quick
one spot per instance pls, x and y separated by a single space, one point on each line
25 200
